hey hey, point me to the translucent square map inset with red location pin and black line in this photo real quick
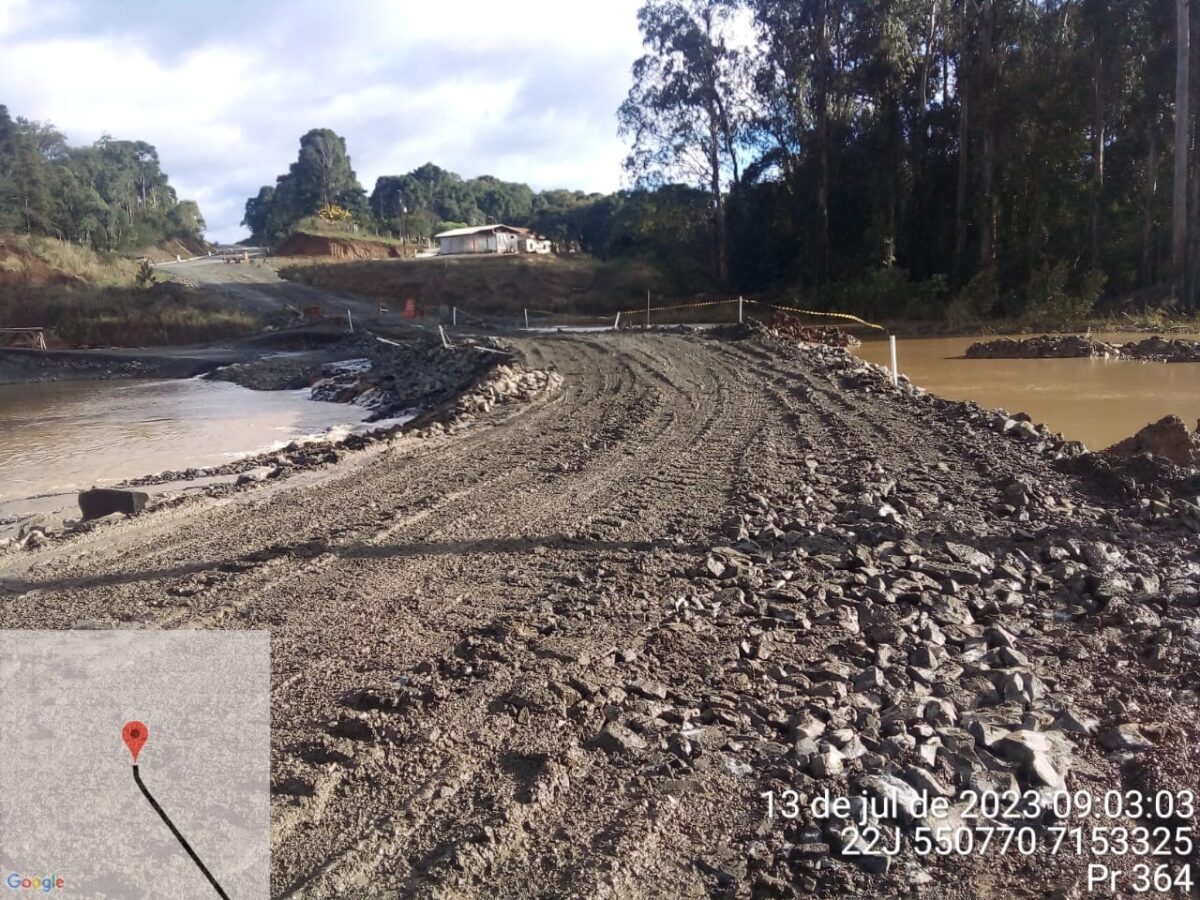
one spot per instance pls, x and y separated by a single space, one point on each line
76 817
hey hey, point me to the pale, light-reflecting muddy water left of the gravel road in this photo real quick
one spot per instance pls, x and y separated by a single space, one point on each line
67 436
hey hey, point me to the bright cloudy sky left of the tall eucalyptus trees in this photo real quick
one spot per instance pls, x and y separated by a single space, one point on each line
524 91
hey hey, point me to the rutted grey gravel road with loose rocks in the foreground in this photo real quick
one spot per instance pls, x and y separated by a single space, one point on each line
565 652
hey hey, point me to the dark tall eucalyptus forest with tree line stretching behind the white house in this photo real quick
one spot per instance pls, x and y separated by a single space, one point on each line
933 158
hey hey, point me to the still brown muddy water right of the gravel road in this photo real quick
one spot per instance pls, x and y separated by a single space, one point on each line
1093 400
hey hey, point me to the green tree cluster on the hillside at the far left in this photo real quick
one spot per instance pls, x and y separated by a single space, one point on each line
111 196
